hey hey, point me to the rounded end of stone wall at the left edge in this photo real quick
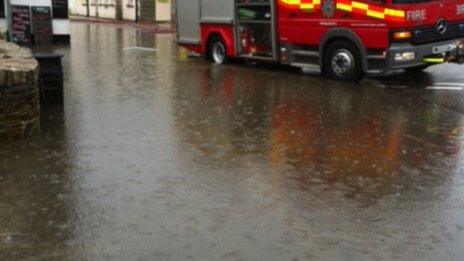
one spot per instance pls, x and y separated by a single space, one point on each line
19 93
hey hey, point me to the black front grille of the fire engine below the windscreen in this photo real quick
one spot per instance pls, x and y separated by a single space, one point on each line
429 34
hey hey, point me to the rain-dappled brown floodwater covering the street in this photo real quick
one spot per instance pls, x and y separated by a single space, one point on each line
156 156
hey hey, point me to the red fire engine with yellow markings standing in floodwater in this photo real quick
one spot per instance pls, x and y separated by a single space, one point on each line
346 39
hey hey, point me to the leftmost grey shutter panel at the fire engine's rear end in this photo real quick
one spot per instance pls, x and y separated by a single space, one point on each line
188 19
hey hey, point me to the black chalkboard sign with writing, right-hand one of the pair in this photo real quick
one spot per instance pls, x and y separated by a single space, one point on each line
42 24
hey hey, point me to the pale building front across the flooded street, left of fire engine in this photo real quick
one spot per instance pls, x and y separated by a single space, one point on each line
148 11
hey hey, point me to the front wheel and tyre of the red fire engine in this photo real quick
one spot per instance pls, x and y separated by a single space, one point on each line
342 62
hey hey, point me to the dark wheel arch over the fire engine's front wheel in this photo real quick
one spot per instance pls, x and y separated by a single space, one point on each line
336 34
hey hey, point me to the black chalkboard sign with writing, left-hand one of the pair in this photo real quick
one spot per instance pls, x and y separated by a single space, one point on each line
21 24
